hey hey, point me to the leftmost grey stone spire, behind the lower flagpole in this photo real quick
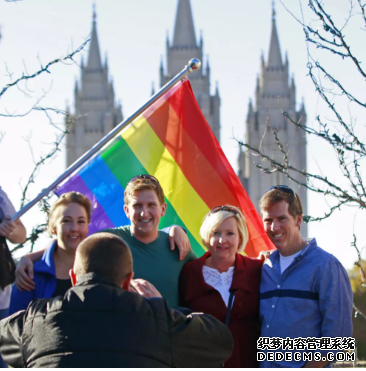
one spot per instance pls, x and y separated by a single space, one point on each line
96 112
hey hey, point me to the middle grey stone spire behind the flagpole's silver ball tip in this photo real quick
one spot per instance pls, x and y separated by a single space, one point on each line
183 48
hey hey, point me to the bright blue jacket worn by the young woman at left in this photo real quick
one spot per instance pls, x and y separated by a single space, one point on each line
44 278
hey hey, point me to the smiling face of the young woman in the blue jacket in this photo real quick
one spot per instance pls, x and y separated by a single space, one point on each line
71 226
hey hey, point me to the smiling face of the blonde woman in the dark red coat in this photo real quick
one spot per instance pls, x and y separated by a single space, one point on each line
224 242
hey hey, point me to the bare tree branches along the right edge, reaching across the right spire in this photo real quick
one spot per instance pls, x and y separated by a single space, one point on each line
341 135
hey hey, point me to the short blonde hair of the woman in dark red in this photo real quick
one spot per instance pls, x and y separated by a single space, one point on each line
212 221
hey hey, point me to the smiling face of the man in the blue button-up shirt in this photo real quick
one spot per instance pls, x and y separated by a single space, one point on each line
282 228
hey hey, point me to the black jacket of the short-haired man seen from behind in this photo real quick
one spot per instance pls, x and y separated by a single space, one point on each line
98 324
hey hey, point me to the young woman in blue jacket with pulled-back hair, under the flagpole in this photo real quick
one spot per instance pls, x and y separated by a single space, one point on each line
68 221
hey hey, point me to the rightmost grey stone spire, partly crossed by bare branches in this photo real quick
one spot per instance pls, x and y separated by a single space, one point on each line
274 91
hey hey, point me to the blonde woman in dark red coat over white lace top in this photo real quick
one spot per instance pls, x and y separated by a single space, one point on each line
225 284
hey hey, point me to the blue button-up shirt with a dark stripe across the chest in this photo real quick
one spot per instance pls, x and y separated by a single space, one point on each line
312 298
